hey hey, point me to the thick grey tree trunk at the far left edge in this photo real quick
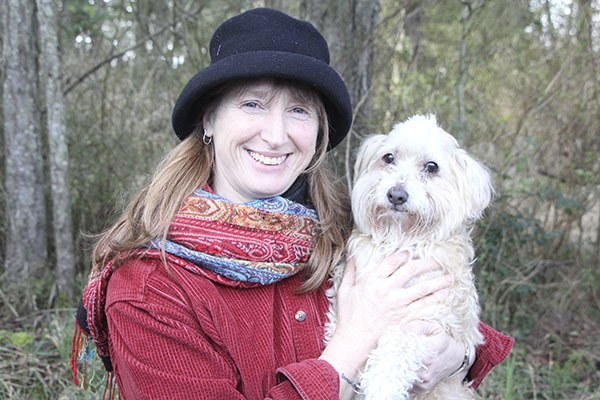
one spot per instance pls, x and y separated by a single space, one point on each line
26 248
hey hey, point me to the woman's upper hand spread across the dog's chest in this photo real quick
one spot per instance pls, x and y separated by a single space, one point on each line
365 309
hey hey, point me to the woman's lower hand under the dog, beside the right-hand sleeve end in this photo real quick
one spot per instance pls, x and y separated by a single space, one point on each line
447 355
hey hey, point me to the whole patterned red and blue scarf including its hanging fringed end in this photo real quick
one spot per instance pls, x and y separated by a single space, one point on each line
255 243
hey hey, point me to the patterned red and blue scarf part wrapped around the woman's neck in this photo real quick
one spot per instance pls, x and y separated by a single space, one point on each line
261 241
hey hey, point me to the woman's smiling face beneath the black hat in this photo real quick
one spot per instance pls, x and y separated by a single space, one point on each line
264 137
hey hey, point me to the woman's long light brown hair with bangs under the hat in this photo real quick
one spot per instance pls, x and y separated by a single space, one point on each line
189 166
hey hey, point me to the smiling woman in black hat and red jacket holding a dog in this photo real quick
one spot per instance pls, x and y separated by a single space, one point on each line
211 285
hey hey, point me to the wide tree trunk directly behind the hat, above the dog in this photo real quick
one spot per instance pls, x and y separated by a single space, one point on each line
349 27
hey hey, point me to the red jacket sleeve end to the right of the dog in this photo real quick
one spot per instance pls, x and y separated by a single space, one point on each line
492 352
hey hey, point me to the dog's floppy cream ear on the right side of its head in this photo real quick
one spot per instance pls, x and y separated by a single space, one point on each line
475 184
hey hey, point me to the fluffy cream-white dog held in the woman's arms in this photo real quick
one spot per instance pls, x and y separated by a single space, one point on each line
433 223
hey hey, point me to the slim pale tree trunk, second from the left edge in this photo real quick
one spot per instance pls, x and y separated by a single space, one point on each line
58 157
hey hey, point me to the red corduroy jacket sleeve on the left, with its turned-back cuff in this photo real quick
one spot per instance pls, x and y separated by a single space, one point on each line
160 351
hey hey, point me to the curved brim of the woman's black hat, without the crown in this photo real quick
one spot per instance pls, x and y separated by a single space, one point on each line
265 64
